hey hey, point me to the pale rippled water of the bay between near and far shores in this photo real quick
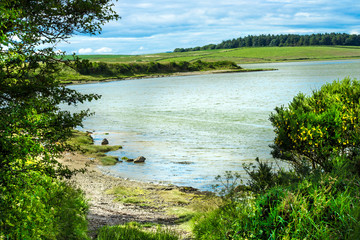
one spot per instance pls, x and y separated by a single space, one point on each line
193 128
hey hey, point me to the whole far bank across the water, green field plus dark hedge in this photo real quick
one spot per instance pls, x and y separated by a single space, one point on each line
105 67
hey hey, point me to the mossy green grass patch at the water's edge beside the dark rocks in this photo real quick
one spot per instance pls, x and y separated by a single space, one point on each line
83 142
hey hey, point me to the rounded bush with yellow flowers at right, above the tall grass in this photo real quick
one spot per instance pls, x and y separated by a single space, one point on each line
320 129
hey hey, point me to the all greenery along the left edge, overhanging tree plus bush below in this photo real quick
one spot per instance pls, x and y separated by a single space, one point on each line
33 129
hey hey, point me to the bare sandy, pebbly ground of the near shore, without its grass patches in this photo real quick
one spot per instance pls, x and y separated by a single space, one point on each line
103 209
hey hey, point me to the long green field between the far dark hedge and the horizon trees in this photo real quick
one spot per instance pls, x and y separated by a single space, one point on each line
240 55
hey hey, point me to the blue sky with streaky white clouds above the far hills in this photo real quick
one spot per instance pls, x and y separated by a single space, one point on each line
161 26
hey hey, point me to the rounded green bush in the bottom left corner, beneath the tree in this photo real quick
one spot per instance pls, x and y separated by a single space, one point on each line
39 207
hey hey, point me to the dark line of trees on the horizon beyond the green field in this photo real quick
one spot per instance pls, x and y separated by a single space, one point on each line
283 40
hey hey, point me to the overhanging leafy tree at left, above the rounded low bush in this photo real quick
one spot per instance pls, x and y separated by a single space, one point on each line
29 91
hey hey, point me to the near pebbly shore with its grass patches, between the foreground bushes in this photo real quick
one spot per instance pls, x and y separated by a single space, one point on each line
114 200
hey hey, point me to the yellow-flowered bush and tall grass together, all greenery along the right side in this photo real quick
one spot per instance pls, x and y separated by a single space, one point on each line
318 196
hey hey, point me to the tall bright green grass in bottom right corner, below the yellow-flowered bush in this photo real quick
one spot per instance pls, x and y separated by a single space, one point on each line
318 208
